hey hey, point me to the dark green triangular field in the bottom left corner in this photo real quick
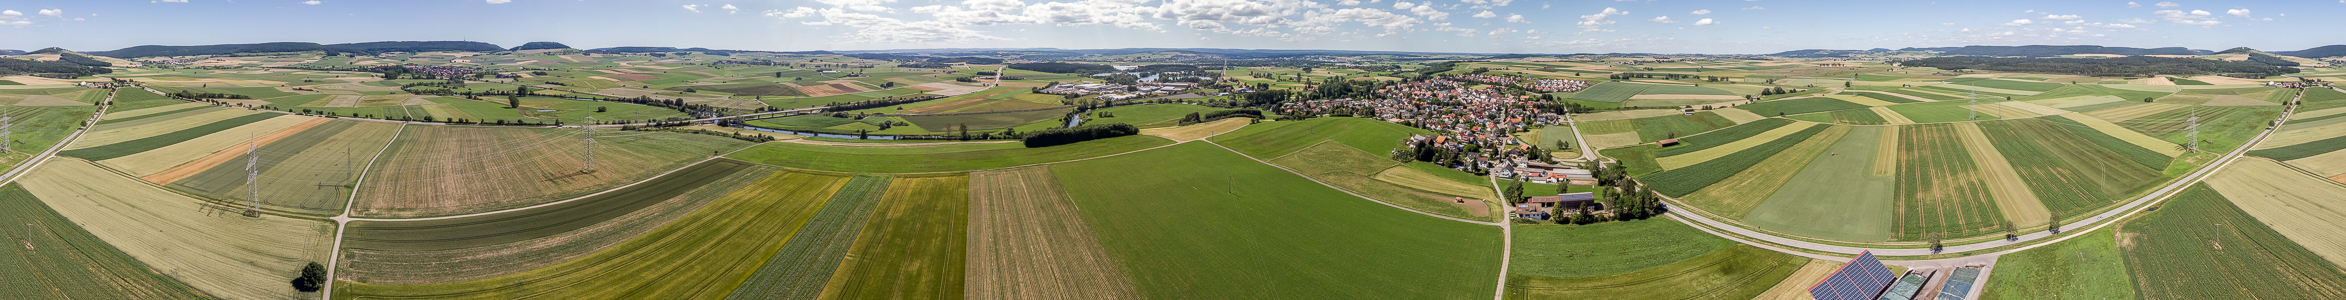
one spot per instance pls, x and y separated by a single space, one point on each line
55 259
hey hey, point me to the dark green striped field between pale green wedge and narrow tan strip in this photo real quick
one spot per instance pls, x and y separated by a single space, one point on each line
1939 186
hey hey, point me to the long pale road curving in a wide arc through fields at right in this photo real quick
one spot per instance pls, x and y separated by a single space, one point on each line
2082 226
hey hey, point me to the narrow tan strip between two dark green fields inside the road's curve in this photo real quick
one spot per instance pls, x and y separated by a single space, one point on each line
2005 184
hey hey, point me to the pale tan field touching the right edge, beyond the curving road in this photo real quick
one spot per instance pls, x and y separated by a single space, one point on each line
2296 205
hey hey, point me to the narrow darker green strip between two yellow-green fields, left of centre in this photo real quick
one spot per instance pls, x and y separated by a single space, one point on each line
808 261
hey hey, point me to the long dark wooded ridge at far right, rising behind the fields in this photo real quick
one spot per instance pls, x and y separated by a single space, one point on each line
2103 67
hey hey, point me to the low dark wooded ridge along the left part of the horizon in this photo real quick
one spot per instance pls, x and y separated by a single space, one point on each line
266 48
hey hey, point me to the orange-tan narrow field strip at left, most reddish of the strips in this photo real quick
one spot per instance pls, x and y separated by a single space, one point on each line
189 151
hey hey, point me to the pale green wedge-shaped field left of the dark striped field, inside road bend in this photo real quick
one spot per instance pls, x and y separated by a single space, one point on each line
1836 196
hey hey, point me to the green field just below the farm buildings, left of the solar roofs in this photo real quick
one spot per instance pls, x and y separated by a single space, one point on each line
1599 250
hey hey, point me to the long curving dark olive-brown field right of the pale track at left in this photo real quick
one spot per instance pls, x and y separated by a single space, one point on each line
484 247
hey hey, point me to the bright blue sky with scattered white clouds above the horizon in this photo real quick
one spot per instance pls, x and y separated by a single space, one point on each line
1474 27
